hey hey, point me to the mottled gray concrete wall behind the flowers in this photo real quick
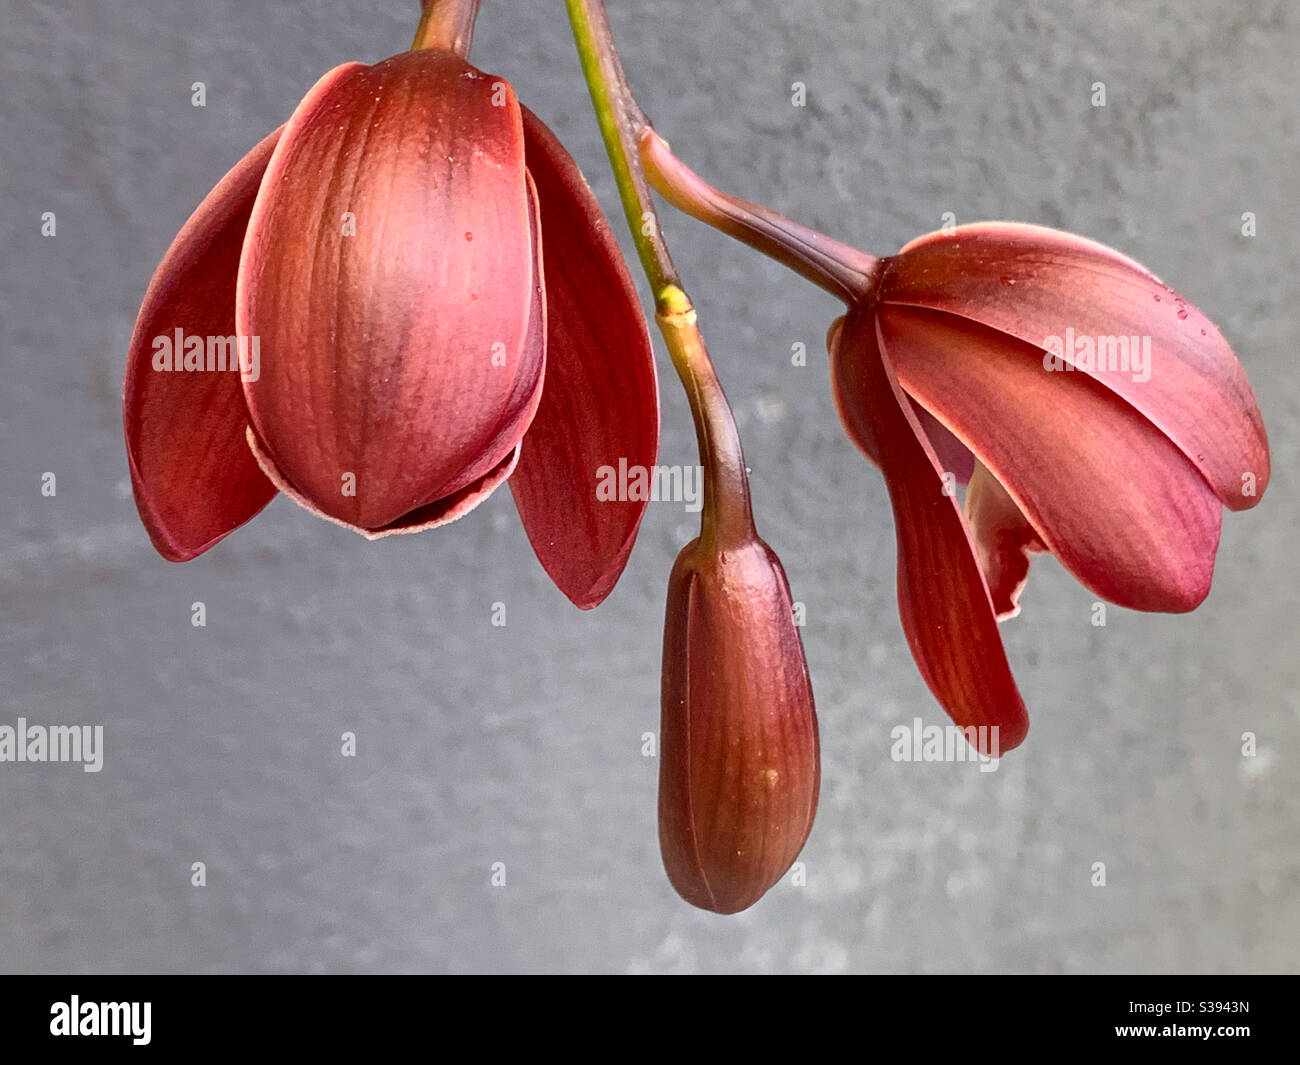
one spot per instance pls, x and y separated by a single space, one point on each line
523 744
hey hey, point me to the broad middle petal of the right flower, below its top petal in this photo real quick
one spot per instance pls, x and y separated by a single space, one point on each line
1110 495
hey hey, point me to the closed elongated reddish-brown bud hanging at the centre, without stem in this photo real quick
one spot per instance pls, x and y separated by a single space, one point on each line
739 768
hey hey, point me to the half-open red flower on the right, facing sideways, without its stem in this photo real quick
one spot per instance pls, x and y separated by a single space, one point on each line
1095 413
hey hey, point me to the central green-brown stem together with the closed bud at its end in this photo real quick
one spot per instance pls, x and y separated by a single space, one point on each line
740 770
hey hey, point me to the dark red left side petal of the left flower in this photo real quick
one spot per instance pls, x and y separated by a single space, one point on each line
193 478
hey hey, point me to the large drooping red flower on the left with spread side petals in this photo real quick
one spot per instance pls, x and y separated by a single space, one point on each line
392 305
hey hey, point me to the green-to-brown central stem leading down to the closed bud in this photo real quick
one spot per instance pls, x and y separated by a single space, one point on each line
727 517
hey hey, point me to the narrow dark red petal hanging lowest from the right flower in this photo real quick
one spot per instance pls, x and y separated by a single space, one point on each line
943 600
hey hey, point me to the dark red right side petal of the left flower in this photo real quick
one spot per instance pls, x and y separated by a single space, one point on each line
600 399
